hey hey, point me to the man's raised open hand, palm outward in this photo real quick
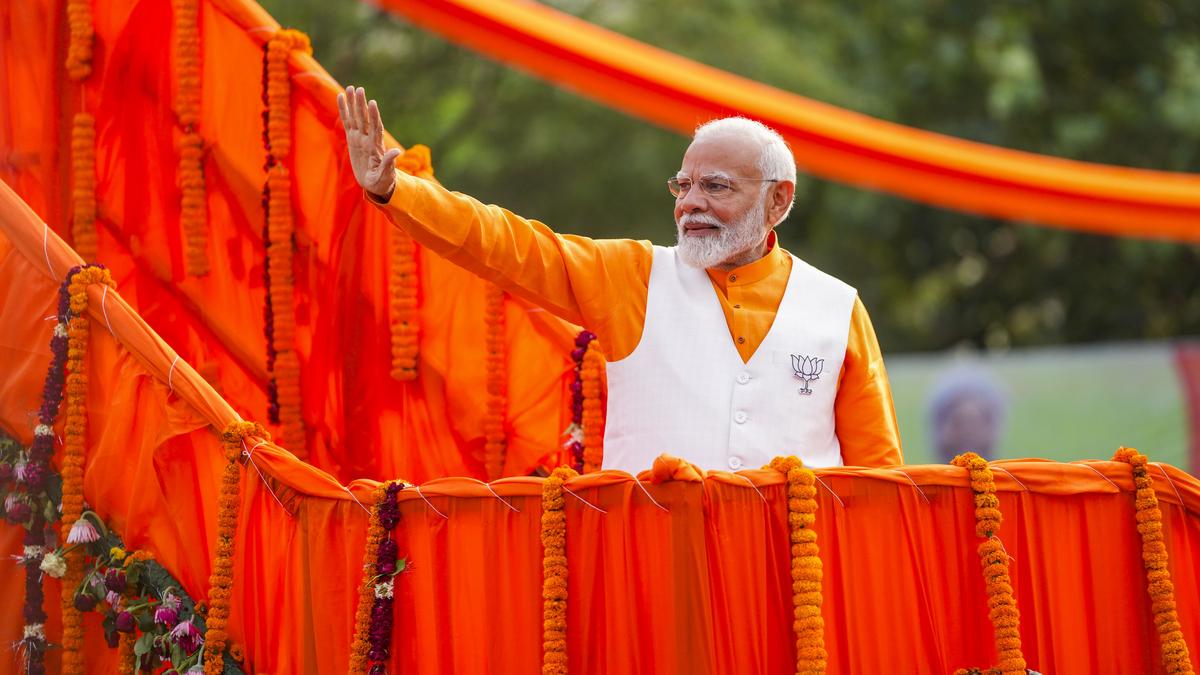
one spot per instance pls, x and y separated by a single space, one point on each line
374 165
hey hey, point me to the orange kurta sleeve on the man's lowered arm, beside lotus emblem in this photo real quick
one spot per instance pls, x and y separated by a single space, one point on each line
866 415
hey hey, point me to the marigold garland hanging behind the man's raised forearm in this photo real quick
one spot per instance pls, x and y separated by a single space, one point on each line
405 283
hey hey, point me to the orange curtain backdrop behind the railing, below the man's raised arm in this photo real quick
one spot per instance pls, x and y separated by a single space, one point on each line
362 423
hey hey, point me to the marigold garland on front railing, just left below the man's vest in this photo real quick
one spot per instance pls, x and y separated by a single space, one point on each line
554 570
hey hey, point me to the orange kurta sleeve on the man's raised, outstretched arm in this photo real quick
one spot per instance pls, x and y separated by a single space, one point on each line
599 284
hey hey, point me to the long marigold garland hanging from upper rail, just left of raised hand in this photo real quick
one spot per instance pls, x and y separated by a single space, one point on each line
284 365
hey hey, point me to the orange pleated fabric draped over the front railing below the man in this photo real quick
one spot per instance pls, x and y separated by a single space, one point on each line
679 572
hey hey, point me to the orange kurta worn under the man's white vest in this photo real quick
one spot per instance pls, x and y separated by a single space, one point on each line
603 285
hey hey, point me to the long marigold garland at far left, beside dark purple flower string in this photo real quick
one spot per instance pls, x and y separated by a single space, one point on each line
74 445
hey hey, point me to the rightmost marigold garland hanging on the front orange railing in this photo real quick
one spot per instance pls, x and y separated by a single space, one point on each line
1154 554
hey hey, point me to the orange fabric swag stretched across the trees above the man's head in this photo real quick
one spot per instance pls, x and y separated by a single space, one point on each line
830 142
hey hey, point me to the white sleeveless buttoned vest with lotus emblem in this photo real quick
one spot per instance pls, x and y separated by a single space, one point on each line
686 391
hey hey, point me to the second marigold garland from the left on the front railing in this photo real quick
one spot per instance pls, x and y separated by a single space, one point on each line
217 636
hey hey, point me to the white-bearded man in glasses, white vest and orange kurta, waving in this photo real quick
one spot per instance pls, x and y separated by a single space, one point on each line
724 350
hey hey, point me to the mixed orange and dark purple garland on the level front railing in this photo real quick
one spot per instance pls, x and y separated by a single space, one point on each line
381 565
